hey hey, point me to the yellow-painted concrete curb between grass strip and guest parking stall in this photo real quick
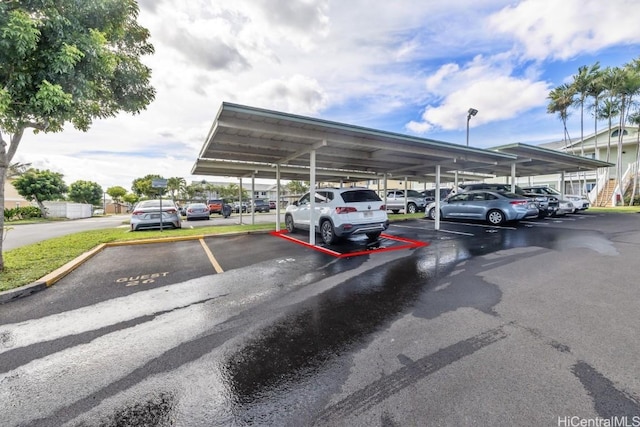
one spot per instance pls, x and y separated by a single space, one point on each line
51 278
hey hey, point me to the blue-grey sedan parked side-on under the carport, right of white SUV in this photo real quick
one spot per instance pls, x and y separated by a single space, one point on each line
495 207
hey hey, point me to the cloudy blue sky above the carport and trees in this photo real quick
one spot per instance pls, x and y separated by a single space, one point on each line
408 66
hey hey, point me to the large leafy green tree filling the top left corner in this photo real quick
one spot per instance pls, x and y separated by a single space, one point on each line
67 61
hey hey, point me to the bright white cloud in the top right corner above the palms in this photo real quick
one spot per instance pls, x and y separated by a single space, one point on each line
563 29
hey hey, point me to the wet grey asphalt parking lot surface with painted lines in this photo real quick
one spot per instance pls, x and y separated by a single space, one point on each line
471 325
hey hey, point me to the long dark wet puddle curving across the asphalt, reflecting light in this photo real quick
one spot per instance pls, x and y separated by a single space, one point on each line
326 326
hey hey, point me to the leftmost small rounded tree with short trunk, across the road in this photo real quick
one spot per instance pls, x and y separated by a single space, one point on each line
39 186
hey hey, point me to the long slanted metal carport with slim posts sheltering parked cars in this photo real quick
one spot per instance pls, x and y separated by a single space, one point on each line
249 142
